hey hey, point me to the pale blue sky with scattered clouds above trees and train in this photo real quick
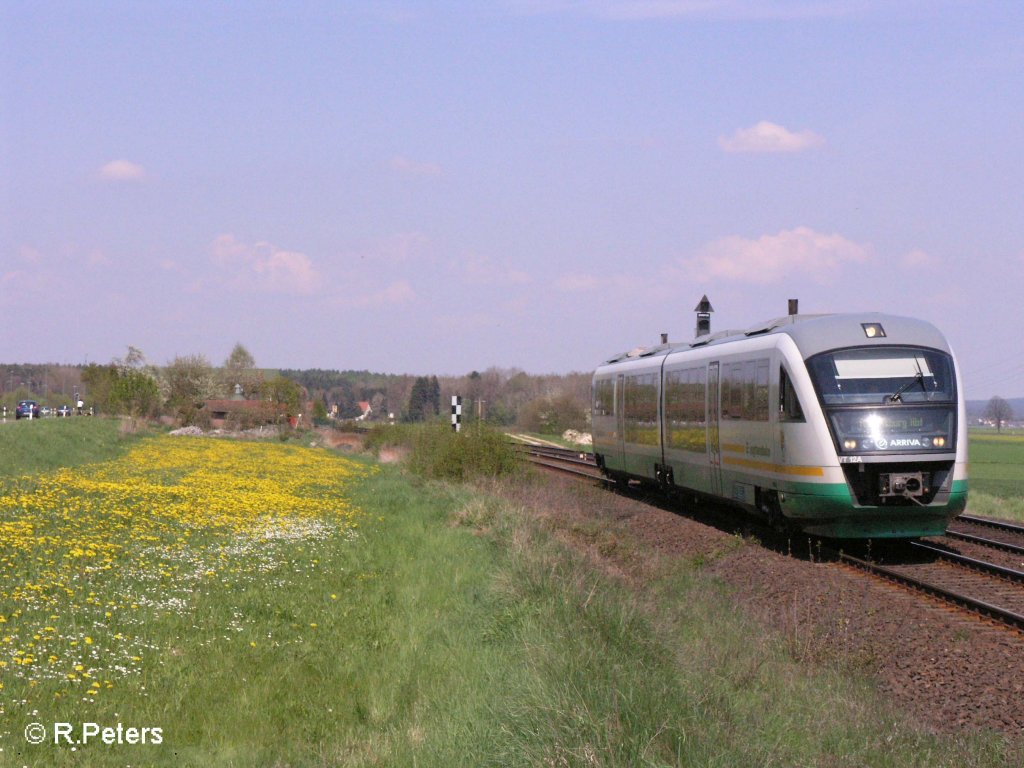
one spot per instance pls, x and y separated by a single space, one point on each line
443 187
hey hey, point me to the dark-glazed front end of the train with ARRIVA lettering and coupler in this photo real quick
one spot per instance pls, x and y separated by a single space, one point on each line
892 413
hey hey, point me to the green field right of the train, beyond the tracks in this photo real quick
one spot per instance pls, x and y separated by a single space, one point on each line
997 476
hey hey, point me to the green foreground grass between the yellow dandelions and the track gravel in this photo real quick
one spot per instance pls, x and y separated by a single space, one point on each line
459 629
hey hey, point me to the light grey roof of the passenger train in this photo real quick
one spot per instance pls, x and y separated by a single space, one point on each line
814 334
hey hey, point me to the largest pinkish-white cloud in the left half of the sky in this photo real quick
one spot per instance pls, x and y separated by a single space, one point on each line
263 267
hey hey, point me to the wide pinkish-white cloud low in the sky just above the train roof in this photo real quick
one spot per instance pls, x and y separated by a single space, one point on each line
772 258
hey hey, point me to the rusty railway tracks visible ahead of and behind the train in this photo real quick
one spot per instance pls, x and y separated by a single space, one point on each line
977 567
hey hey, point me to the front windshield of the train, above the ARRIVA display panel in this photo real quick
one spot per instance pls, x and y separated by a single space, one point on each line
883 375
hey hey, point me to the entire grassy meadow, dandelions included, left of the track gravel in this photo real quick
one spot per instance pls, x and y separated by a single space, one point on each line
273 606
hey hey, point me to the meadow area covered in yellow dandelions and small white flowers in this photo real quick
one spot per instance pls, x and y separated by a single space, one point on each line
91 556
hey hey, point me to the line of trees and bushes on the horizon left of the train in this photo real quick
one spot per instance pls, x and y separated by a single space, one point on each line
179 391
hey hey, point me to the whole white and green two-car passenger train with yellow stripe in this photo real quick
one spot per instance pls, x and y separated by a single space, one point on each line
844 426
